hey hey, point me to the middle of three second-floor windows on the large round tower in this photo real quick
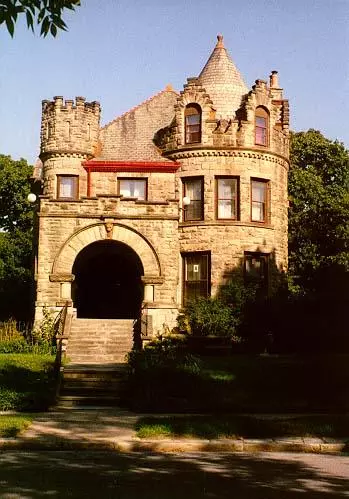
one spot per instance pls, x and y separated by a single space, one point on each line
227 198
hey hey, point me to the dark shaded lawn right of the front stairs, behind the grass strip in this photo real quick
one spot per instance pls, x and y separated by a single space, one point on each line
248 384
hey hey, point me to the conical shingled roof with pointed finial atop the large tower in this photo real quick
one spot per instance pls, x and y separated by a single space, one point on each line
223 82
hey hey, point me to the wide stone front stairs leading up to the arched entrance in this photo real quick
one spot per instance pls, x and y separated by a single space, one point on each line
95 370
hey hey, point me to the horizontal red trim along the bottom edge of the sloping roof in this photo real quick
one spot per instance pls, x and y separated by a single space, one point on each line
130 166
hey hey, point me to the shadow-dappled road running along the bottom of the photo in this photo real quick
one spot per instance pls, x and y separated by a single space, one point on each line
102 475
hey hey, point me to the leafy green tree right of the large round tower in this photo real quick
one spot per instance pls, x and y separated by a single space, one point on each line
319 214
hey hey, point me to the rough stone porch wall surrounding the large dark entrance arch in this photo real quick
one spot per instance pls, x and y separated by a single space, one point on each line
62 236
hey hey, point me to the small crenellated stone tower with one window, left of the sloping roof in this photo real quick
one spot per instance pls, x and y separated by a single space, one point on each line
69 135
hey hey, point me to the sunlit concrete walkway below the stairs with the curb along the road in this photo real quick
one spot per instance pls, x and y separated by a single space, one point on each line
113 429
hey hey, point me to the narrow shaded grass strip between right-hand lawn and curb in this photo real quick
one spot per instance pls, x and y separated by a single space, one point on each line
232 426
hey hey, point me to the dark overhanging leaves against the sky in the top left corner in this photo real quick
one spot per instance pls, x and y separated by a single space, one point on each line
46 13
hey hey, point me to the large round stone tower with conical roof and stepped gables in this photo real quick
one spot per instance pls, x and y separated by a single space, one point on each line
233 147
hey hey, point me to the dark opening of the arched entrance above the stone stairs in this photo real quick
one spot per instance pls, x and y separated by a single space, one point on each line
107 281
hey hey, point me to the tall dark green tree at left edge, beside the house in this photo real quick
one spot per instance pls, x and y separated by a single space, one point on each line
16 226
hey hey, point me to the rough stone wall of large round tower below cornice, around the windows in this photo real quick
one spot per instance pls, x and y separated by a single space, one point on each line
227 240
